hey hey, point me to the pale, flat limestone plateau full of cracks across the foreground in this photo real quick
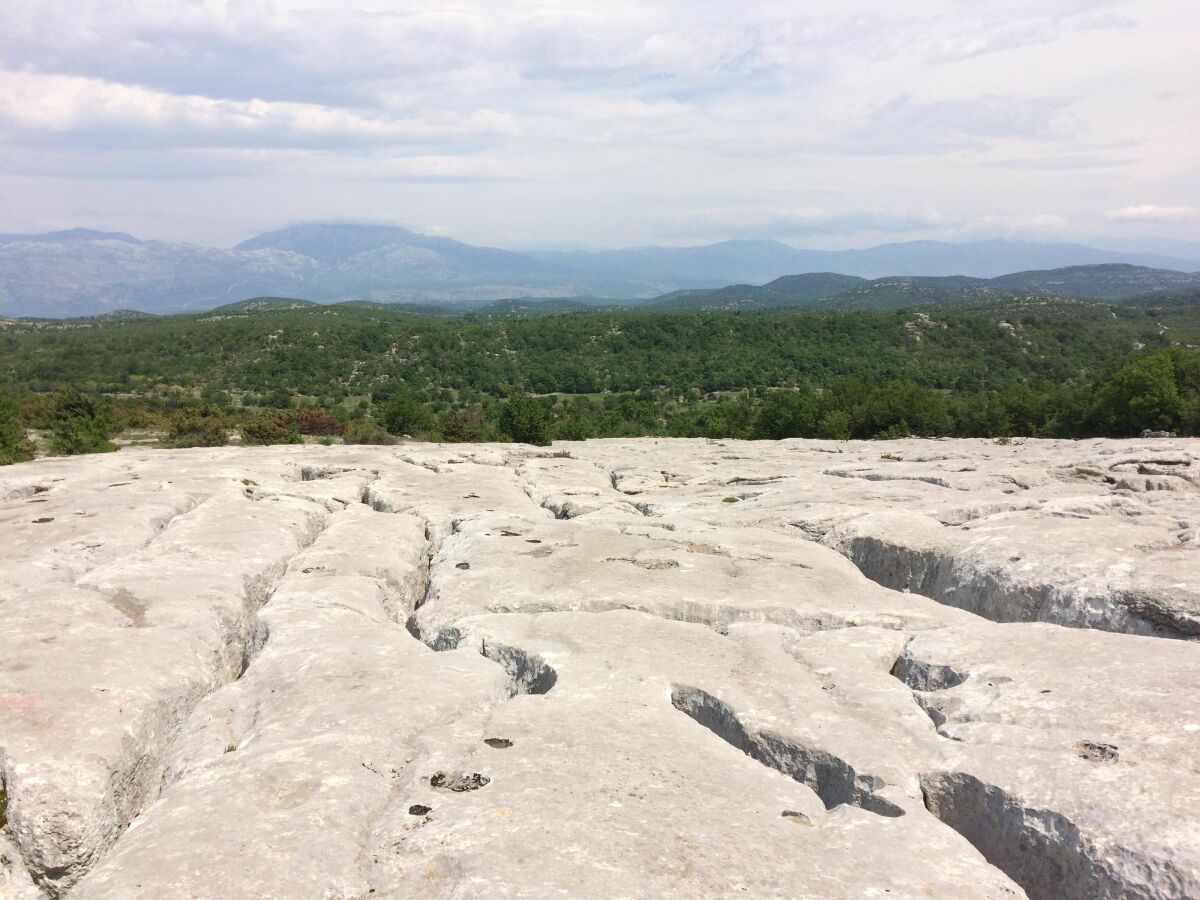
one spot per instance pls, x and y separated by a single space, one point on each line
616 669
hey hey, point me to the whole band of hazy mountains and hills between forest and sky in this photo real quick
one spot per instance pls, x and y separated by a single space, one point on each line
85 273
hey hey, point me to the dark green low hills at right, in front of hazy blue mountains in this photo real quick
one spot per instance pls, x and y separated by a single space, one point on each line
841 292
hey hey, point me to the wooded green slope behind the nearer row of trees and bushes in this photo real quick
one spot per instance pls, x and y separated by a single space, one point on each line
335 352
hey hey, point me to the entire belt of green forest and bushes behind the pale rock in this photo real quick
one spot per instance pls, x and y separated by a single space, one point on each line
995 369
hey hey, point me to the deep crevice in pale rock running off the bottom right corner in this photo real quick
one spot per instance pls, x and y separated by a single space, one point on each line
1043 851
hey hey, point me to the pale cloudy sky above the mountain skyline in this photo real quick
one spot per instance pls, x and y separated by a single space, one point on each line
614 123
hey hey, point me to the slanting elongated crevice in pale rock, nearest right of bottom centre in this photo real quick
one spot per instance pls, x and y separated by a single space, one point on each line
833 779
